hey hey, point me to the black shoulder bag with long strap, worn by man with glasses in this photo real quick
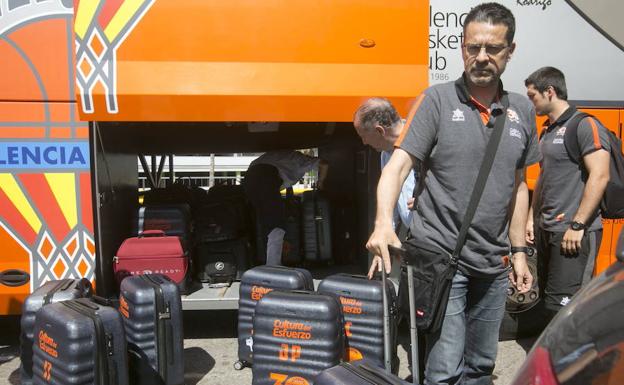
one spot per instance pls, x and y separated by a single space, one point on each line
433 268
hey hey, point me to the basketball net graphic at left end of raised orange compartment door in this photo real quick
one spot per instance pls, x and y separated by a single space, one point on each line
101 27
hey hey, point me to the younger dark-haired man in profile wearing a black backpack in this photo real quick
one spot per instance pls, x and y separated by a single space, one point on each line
568 226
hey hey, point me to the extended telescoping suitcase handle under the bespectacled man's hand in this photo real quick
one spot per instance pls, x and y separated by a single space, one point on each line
401 254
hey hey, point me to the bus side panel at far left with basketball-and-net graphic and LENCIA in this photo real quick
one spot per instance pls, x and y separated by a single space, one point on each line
46 220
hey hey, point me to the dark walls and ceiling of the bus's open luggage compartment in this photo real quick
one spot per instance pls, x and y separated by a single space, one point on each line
116 147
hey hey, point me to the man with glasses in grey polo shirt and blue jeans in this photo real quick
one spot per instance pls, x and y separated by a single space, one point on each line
447 131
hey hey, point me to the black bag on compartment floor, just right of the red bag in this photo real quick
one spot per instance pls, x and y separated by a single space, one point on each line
221 262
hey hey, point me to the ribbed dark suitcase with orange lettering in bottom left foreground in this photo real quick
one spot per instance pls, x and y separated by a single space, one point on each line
79 342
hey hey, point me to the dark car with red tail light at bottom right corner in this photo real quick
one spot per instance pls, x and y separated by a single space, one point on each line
584 343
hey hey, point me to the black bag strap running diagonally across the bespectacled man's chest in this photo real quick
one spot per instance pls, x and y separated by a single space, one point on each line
484 172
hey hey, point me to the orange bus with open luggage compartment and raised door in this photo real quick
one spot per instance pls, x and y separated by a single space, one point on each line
89 87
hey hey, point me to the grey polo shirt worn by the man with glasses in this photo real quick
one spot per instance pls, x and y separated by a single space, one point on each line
448 134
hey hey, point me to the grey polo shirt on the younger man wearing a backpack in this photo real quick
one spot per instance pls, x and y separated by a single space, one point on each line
562 181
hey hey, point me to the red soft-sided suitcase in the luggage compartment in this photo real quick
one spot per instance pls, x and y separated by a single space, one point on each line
153 253
